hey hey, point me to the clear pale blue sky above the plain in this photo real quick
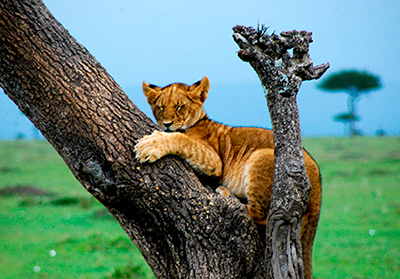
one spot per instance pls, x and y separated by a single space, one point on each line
162 42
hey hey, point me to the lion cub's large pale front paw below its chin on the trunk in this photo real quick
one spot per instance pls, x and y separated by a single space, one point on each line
151 148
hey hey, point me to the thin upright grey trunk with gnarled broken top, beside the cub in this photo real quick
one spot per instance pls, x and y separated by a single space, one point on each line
281 75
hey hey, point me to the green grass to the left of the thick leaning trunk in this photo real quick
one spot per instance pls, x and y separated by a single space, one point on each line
64 235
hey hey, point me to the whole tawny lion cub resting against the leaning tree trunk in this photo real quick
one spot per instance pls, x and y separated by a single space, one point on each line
242 159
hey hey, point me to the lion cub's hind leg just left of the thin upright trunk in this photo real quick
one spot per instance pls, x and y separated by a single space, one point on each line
258 183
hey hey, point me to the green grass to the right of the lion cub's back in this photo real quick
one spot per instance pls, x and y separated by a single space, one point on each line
359 230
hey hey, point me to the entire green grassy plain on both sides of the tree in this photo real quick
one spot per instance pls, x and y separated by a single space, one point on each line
63 232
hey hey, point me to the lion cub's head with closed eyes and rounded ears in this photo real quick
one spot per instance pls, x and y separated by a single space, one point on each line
177 106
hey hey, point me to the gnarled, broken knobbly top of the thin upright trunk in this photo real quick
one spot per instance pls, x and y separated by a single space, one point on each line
270 58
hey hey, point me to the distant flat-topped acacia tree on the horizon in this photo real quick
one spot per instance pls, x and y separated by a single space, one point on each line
355 83
